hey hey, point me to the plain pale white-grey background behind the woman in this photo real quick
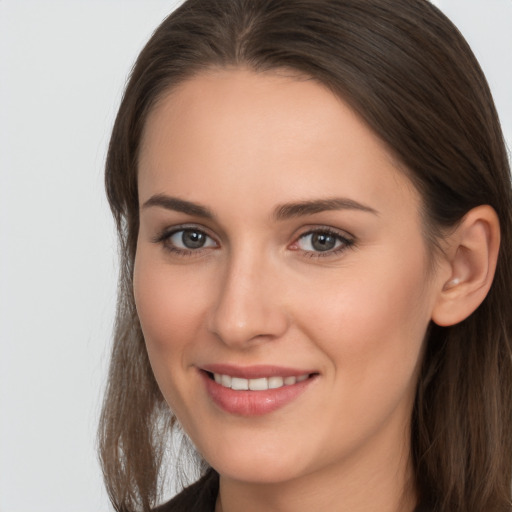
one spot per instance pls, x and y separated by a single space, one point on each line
62 69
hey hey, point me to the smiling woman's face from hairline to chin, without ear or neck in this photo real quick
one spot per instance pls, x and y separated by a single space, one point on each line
280 249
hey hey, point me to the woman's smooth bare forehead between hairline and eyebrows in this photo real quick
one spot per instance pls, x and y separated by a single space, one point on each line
276 135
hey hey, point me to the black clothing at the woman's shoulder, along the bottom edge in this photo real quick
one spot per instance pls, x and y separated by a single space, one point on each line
201 497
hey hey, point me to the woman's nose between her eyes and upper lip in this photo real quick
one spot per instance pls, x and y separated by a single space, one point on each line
248 309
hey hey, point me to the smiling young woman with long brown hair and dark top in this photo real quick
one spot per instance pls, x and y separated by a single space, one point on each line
313 203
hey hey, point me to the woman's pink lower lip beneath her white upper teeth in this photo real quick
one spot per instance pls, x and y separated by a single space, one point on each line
253 403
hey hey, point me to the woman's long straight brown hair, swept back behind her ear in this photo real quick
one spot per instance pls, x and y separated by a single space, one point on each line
408 72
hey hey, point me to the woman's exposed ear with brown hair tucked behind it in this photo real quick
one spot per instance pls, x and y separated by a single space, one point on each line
469 263
